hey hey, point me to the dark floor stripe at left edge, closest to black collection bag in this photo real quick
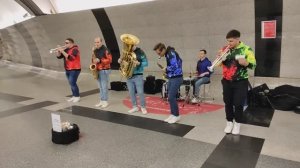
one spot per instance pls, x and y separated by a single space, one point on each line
25 108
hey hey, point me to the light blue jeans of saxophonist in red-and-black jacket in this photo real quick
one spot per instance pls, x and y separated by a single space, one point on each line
103 83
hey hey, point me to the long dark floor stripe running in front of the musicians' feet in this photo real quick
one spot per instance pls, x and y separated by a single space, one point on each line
135 121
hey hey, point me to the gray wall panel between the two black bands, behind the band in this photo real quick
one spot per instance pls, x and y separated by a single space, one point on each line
188 26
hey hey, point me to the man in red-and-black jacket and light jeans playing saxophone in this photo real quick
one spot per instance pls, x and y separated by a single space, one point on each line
102 58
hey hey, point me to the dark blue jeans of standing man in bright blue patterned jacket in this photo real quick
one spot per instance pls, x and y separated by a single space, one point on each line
173 87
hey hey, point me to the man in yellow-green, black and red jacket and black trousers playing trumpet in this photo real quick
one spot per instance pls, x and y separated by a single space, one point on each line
235 80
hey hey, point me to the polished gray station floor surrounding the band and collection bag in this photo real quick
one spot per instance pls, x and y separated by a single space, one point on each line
113 138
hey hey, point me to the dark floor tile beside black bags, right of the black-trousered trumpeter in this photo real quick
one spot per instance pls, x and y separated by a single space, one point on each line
260 116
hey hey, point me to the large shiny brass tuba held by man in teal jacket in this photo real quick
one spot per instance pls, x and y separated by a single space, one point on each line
128 57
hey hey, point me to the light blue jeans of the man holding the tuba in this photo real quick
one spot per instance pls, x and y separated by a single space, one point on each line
136 83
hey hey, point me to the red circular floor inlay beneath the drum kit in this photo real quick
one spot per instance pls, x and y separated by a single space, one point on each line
159 106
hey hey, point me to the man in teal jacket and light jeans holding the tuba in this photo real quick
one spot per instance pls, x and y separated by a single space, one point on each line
136 81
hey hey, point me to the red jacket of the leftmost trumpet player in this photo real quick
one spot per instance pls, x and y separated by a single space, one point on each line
73 60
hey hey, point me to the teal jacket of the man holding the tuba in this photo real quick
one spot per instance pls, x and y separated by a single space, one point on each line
141 57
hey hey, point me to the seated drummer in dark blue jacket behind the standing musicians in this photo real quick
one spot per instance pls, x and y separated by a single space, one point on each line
202 75
